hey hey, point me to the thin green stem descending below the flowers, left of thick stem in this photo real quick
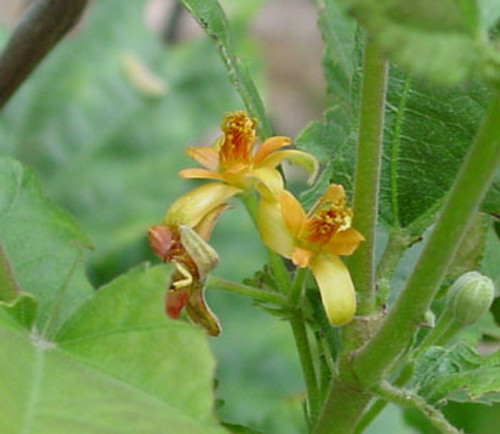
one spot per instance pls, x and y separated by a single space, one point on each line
304 349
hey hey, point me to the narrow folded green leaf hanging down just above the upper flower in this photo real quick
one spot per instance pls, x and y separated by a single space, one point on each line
212 19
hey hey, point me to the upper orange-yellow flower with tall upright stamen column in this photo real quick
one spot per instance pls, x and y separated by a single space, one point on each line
234 159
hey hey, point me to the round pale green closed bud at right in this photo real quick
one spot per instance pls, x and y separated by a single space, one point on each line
470 297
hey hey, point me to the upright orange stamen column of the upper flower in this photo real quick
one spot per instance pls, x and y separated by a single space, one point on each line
238 139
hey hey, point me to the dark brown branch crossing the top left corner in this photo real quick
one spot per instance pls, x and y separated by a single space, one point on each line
41 27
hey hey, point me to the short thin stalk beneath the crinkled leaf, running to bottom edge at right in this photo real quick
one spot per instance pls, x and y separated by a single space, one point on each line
407 399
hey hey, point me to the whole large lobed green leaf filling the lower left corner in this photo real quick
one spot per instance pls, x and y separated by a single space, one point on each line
106 361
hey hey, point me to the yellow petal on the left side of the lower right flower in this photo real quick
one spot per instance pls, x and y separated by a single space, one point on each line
272 228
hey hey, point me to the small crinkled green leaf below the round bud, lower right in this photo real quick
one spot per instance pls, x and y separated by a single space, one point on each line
457 373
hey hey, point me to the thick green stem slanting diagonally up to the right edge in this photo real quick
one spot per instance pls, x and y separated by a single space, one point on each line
467 192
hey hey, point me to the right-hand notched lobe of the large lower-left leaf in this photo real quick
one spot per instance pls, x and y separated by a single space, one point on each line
123 332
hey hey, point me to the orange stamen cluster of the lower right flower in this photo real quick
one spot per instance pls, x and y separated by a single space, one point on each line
326 219
